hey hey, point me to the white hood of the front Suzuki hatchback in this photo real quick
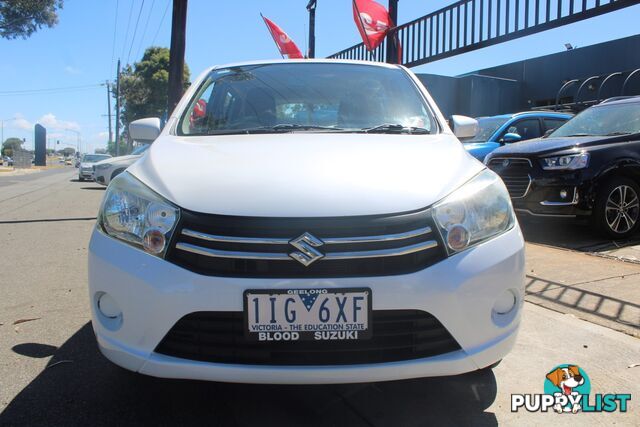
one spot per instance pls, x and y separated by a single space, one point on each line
305 174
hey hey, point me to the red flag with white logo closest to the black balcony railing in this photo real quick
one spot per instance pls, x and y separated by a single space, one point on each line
373 22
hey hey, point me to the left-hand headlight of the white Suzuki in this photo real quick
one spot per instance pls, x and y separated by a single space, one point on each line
135 214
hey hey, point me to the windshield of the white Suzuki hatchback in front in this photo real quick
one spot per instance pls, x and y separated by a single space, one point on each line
307 97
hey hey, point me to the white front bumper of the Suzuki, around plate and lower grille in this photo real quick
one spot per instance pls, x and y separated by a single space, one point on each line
154 294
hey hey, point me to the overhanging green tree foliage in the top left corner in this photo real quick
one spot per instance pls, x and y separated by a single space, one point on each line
21 18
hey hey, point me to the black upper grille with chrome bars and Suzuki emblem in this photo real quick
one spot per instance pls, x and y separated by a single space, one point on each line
219 245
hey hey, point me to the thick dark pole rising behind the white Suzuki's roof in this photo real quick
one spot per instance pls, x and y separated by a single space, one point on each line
176 54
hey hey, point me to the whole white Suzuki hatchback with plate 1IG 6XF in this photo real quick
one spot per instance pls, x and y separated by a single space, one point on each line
329 228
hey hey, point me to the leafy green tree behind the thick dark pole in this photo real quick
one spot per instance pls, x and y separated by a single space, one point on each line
144 86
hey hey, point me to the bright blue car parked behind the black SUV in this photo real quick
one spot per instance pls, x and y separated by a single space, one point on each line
497 131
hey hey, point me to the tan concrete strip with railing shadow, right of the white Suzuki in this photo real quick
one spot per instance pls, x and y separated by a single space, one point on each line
599 290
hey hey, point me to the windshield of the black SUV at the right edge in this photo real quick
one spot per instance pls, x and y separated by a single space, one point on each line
603 120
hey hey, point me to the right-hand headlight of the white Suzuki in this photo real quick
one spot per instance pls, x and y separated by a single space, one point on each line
478 211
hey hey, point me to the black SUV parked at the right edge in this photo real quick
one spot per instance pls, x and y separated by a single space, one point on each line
589 167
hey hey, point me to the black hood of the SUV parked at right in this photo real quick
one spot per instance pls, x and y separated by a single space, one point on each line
548 145
